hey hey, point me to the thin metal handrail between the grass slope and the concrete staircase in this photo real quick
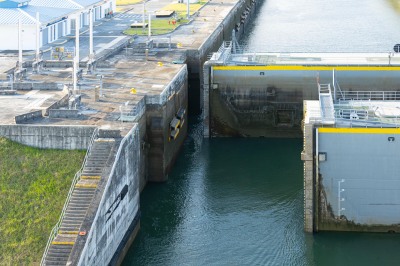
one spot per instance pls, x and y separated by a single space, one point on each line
77 176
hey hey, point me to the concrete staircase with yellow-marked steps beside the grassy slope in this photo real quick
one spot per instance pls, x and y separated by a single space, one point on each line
78 205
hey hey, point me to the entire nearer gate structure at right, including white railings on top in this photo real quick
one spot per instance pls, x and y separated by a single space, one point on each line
350 164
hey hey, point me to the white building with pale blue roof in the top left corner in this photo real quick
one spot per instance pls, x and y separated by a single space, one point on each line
56 17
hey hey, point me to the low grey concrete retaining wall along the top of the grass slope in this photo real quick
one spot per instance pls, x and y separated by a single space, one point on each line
49 137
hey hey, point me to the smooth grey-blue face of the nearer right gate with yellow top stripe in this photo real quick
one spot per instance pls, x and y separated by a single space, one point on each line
359 188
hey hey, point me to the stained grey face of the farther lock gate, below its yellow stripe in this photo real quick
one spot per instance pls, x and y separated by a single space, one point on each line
257 101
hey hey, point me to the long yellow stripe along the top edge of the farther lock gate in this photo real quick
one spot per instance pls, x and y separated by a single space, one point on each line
307 68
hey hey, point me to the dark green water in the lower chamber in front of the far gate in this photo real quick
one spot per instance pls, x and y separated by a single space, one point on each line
240 202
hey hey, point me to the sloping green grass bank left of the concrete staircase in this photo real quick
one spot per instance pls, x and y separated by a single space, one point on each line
34 184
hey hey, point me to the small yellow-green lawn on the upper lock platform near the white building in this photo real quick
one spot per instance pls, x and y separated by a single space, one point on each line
164 25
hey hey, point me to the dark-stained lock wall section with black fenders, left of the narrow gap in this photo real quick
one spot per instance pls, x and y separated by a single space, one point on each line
162 152
